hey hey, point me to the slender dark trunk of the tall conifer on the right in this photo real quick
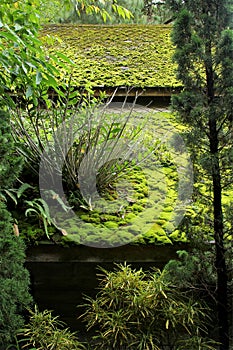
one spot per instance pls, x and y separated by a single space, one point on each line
220 260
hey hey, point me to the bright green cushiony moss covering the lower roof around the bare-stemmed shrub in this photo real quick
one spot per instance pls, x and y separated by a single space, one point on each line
139 207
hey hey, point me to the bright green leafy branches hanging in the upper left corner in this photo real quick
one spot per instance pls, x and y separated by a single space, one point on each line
27 73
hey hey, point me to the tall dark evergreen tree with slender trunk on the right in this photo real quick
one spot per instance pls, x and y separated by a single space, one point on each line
203 38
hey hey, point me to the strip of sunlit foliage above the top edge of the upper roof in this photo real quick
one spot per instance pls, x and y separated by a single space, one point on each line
103 11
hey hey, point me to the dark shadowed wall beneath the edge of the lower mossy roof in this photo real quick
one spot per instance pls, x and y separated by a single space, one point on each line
61 276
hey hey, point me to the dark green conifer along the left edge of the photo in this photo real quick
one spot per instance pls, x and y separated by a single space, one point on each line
14 278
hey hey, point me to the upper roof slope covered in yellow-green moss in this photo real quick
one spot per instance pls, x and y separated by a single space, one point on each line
117 55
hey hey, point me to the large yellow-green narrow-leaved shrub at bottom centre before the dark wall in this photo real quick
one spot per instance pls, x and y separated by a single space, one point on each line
139 310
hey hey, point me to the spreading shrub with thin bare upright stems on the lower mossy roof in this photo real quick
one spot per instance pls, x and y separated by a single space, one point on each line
80 144
